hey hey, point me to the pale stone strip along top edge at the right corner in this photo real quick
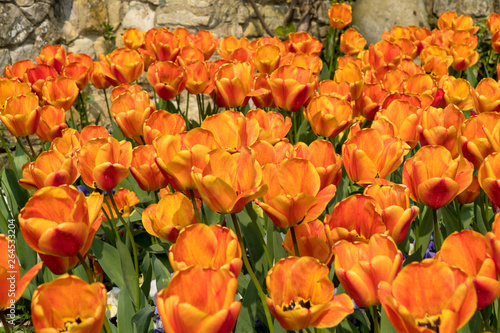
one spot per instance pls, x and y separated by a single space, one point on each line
474 8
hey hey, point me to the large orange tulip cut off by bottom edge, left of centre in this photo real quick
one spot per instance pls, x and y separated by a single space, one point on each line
207 306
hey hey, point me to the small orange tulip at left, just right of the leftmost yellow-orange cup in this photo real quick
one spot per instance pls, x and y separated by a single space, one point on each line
52 123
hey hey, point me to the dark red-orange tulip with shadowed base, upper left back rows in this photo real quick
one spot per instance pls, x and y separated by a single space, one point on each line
167 78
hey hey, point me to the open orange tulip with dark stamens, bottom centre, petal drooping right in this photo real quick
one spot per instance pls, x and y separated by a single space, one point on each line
302 295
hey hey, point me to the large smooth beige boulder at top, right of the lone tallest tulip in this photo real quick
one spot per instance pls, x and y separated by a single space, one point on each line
373 17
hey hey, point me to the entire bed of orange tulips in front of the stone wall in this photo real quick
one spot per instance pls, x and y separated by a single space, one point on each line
345 194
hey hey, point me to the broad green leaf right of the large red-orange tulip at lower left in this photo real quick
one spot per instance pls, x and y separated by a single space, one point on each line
106 255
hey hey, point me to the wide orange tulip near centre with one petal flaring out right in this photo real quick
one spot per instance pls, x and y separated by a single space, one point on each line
294 195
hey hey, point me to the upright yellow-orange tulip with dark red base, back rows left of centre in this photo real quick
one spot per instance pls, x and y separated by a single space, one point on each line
232 82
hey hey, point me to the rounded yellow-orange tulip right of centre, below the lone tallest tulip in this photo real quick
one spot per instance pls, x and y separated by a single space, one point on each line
328 116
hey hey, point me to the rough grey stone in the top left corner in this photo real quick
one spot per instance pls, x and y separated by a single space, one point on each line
14 27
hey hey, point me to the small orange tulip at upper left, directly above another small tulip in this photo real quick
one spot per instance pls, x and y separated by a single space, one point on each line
60 92
